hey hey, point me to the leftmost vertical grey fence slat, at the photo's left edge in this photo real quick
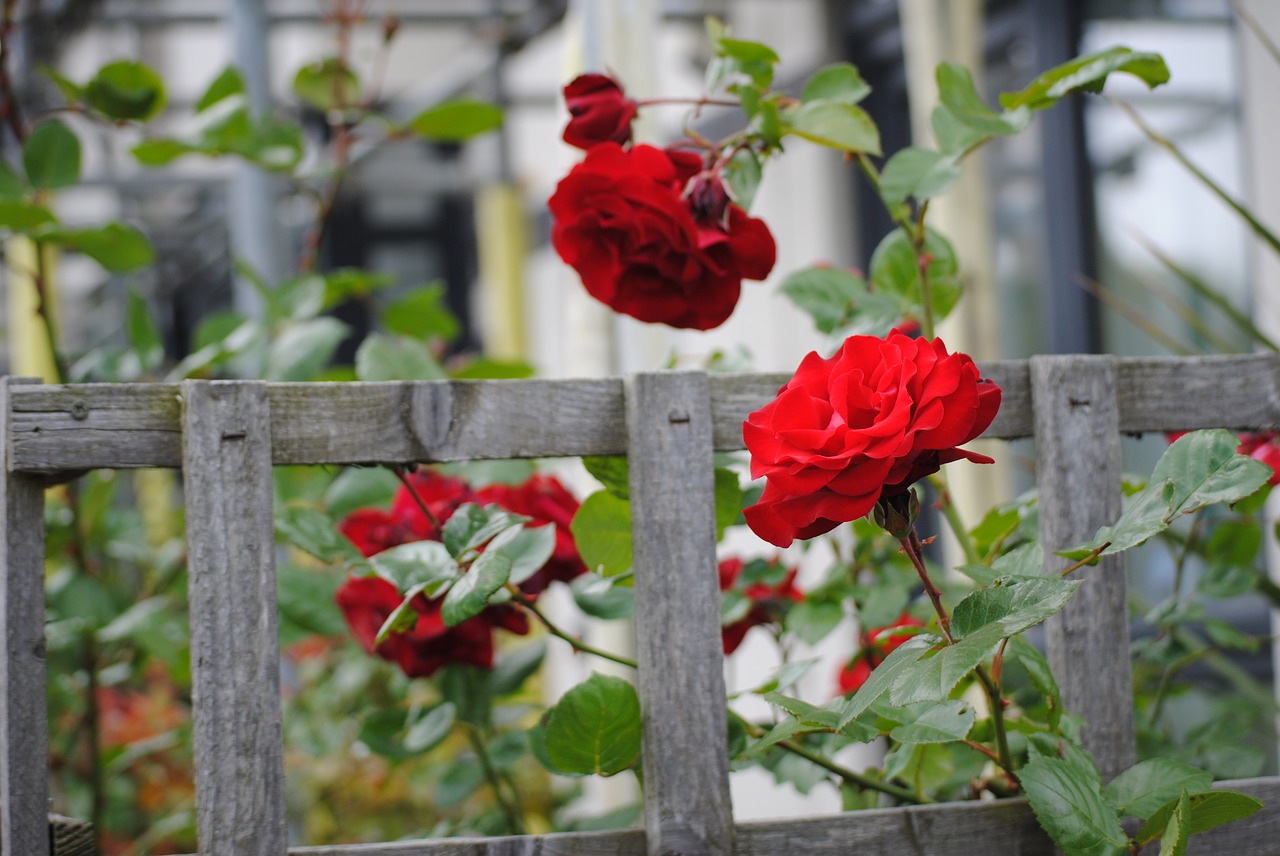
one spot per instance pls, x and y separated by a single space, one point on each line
24 718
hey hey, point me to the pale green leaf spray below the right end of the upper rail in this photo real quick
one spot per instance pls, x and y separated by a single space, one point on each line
1200 469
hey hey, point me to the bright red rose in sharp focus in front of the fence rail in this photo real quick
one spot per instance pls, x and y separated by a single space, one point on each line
866 424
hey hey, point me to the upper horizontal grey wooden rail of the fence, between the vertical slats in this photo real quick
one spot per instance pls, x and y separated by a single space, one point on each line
88 427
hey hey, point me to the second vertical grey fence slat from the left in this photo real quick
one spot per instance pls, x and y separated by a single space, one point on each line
235 646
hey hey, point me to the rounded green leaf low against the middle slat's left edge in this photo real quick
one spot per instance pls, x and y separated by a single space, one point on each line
596 727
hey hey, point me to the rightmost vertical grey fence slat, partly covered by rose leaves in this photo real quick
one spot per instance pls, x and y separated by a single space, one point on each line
1078 478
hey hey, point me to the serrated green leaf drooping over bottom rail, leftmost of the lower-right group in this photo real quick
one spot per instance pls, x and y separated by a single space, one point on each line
1067 798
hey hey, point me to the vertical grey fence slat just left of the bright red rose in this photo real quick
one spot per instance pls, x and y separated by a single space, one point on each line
682 663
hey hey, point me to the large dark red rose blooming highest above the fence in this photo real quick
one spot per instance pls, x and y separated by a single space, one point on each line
623 222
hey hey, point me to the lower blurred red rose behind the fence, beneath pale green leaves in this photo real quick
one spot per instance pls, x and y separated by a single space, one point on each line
422 651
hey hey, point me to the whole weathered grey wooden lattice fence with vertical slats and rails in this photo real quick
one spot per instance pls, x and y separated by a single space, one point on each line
227 436
